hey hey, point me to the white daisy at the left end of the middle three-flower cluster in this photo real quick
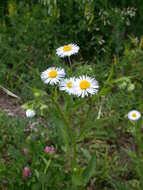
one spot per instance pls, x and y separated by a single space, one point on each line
52 75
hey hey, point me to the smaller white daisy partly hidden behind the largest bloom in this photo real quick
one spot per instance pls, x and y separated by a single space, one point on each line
68 85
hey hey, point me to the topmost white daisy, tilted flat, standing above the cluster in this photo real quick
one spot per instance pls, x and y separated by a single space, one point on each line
67 50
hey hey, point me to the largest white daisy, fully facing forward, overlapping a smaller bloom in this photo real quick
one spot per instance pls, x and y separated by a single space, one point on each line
86 85
